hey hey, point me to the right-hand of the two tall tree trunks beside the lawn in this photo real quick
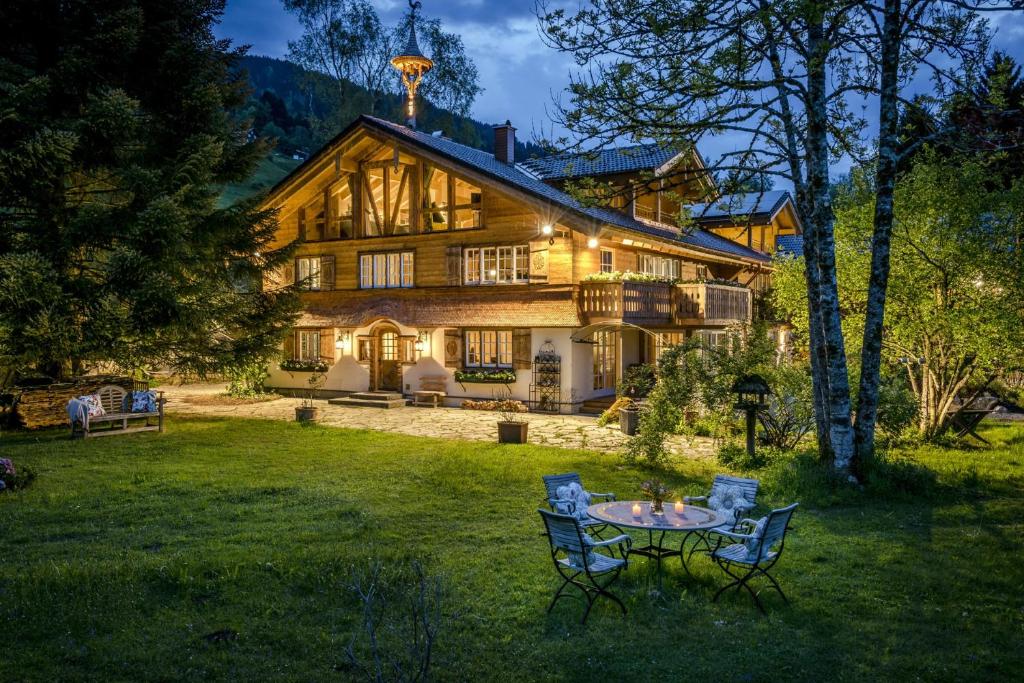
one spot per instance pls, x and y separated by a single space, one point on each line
885 182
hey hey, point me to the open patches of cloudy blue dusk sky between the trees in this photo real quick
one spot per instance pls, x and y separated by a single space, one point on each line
519 73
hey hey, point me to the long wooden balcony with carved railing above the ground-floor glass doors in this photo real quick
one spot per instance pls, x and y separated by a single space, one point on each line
664 305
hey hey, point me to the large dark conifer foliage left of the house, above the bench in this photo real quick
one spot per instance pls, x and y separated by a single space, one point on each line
116 135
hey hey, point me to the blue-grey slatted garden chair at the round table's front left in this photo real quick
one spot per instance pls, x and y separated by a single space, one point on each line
576 560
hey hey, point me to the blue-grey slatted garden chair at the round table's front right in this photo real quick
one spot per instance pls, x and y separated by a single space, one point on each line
755 553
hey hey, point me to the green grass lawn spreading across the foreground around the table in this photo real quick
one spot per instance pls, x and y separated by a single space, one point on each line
129 550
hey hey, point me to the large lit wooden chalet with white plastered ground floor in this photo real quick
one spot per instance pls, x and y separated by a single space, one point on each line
420 258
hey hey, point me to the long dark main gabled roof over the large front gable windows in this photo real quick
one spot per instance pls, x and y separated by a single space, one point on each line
519 179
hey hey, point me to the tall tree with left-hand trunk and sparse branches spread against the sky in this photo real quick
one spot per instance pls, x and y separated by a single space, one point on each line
780 79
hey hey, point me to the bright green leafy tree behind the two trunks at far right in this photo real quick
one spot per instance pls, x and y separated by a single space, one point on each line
953 319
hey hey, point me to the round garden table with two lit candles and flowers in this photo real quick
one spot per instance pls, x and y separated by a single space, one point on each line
620 514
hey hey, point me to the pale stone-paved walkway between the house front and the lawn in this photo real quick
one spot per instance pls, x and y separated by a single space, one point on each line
567 432
